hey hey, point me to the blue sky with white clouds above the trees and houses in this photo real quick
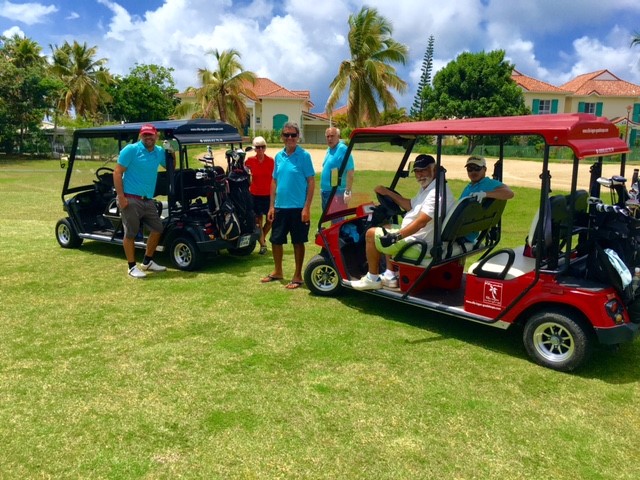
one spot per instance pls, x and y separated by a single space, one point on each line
299 44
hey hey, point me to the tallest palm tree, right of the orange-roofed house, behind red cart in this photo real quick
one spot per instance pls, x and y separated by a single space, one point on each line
368 75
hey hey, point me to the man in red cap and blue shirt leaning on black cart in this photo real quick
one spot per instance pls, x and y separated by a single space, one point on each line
135 181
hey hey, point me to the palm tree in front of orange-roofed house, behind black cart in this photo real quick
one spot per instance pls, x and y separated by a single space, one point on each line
223 91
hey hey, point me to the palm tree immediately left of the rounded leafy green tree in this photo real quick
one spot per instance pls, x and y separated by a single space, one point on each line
85 78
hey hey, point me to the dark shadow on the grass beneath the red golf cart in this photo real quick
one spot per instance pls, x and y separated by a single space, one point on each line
611 365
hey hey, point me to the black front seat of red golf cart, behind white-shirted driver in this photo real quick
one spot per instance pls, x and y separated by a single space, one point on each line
466 220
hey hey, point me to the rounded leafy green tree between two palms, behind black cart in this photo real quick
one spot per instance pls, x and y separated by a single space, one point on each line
147 93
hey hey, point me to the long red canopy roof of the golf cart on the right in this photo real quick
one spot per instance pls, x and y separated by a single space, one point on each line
587 135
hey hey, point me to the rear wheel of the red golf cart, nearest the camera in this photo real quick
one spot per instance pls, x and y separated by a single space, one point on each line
554 340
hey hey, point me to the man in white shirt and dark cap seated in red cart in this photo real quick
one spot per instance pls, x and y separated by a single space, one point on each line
416 225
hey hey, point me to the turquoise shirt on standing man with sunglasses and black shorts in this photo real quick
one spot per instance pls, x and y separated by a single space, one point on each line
291 173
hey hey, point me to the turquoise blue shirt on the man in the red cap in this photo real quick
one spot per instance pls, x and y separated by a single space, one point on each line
142 168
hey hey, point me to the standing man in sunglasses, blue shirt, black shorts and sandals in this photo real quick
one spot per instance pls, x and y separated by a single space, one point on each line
292 190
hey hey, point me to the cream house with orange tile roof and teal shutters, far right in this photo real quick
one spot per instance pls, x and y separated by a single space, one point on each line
601 93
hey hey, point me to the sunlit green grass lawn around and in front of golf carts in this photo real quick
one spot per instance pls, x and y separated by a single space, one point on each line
211 374
